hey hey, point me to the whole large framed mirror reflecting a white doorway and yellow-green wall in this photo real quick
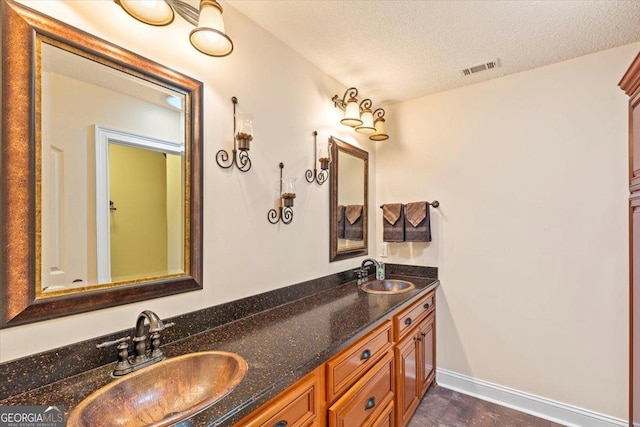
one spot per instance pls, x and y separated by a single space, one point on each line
101 194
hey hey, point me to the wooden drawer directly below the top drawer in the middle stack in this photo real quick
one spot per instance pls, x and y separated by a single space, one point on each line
363 403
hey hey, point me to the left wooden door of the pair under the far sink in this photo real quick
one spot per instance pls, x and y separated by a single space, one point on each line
407 384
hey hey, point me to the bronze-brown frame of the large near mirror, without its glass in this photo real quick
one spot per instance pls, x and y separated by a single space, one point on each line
19 173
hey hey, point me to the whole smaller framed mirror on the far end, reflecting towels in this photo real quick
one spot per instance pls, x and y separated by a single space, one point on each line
348 204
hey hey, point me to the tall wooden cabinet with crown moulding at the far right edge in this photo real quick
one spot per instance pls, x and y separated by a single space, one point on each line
630 83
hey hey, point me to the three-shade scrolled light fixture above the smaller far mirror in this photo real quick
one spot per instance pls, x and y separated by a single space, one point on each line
359 115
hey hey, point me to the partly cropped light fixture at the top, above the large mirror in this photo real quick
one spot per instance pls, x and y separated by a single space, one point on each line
208 37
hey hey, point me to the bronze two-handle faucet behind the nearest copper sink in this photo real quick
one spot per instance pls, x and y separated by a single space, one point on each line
141 357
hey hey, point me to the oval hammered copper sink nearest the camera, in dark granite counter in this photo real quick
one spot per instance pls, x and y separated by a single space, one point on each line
164 393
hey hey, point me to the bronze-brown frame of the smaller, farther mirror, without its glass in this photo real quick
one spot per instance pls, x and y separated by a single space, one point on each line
338 145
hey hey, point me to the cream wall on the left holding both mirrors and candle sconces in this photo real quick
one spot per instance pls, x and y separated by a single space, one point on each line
243 253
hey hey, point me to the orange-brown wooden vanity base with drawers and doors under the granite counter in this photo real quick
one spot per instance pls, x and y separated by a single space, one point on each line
376 382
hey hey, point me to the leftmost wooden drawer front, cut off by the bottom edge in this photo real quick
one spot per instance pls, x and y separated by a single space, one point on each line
295 407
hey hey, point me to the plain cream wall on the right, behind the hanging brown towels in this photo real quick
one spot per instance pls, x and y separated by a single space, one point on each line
531 235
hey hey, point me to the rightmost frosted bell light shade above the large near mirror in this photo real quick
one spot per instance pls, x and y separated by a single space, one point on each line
209 37
